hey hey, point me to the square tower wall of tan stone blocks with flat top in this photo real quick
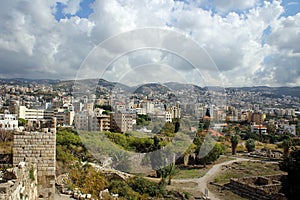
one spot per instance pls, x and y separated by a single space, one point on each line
39 148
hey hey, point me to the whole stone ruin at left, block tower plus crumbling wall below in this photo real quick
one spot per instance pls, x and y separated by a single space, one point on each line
36 145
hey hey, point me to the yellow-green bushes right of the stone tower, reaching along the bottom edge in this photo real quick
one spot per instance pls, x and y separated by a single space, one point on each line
70 153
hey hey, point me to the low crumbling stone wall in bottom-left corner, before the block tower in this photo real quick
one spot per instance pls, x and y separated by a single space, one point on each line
19 183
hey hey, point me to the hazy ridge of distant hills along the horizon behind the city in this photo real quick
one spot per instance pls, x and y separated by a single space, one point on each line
87 84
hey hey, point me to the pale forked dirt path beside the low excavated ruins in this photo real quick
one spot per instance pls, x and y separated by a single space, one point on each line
209 176
